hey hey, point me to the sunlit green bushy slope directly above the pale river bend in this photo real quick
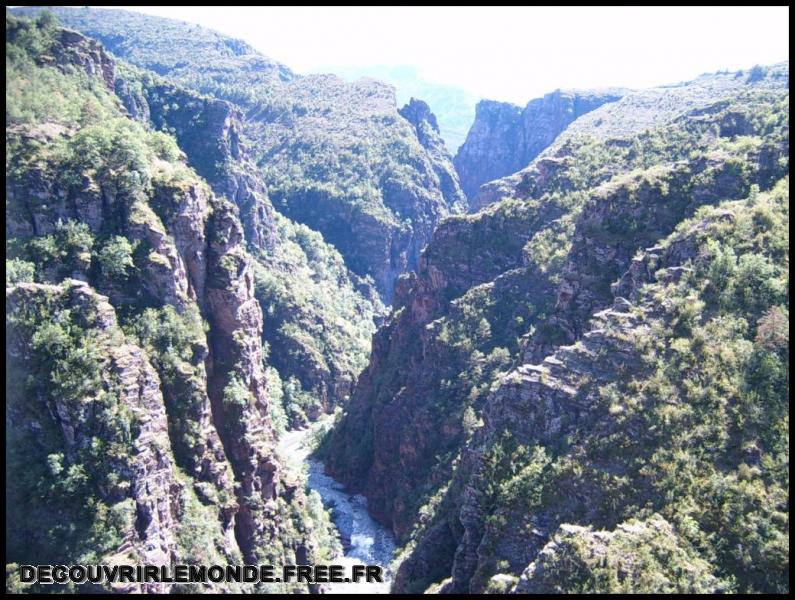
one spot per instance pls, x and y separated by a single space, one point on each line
319 319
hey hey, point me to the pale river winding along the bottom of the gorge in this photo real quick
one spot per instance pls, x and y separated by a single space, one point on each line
364 540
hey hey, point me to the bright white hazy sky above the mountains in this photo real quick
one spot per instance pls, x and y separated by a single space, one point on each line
510 53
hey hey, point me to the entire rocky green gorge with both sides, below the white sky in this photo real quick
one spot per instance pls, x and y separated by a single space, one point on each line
261 317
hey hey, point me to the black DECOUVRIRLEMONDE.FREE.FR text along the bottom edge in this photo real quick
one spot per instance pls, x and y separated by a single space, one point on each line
50 574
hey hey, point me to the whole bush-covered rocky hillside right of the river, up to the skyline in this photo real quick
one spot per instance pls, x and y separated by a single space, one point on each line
585 353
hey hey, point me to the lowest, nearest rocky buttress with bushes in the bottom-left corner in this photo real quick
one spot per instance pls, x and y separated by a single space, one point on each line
105 399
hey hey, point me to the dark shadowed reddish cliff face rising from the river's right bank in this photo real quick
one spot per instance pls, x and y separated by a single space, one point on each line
395 411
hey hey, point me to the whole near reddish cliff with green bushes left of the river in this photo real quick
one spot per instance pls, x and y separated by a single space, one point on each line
178 401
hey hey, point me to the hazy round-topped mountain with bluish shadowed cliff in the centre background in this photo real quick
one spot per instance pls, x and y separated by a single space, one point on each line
377 202
